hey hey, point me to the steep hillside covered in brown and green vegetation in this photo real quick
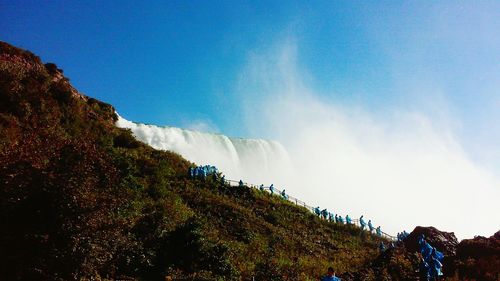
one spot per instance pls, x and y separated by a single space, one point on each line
80 198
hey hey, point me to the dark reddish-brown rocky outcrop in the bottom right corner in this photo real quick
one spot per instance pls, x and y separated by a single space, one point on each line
471 259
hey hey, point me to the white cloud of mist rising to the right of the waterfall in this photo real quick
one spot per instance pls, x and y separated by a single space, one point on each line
400 167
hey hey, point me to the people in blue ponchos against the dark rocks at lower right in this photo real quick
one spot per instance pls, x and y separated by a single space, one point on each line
431 265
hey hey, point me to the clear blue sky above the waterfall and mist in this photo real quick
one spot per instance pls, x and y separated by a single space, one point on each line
178 62
